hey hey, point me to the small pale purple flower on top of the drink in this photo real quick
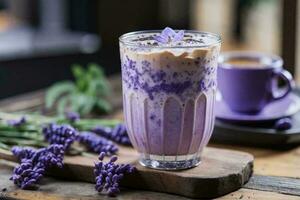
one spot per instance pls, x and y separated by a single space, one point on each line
168 35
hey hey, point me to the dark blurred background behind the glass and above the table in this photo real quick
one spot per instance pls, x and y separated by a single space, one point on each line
41 39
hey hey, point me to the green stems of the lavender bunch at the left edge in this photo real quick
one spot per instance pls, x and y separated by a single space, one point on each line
30 134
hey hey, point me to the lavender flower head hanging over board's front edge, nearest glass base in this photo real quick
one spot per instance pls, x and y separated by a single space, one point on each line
108 175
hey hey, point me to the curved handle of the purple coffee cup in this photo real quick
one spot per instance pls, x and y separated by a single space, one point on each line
279 93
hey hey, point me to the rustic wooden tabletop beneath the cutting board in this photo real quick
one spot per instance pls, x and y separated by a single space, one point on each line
276 172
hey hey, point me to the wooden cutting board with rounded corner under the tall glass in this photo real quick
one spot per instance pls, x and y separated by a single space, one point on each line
220 172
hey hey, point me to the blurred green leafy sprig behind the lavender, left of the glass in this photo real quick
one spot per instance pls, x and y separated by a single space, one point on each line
88 92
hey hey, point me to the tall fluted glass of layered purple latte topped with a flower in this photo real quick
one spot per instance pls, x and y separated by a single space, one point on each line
169 89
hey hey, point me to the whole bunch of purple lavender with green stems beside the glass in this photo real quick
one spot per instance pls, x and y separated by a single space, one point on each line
54 137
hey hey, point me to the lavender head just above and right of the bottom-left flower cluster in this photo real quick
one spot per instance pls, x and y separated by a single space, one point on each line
60 134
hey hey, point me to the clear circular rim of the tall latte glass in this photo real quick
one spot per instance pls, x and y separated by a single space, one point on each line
122 39
